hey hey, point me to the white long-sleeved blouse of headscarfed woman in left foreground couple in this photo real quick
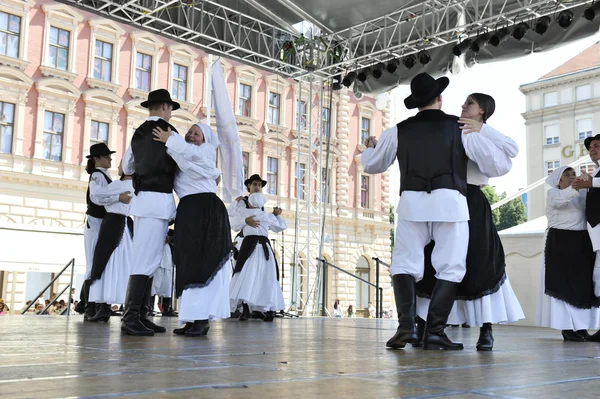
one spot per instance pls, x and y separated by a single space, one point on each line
197 171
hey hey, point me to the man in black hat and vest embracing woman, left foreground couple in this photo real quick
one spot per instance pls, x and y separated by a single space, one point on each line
153 207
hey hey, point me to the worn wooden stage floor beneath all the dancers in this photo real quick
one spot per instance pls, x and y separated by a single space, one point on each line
52 357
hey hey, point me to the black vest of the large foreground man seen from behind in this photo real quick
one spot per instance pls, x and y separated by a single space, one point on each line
431 154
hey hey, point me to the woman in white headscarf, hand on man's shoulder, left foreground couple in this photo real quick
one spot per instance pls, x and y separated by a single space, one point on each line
202 231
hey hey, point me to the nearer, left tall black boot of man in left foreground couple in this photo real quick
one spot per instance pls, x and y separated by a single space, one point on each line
130 323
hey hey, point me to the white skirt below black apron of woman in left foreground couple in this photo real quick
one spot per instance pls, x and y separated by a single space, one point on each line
207 303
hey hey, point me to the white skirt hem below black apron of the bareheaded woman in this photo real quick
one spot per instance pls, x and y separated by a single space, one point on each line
500 307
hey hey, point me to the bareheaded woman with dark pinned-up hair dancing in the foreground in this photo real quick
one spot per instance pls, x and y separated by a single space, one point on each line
485 296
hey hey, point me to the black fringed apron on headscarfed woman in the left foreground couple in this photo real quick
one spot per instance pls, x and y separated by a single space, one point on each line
202 240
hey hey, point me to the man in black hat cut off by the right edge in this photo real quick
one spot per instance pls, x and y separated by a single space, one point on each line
591 183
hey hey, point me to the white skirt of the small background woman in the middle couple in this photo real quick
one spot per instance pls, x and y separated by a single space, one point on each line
257 284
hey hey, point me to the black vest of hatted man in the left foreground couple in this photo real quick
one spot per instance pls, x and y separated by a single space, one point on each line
154 169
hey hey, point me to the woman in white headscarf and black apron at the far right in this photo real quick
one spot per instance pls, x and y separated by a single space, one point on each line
566 298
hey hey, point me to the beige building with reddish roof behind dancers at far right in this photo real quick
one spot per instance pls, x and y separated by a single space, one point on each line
562 109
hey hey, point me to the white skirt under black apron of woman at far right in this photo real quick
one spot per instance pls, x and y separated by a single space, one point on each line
557 314
